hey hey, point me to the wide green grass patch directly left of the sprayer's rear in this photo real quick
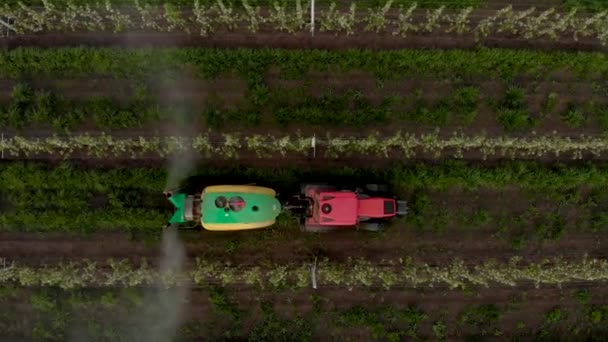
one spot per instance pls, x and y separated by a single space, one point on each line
65 198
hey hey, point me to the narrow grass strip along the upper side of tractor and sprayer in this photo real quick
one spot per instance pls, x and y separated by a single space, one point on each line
530 175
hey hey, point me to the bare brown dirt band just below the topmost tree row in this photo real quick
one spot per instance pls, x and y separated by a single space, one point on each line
321 40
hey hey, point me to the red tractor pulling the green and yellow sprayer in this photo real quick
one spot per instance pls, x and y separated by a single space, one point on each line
327 208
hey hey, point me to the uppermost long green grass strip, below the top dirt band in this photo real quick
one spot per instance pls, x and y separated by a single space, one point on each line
171 63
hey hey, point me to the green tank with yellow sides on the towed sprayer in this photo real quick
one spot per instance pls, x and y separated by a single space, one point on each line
236 207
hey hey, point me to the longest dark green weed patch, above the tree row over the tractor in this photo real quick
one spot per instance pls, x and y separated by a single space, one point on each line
349 108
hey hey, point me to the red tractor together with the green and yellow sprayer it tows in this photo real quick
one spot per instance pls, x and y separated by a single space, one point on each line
321 207
